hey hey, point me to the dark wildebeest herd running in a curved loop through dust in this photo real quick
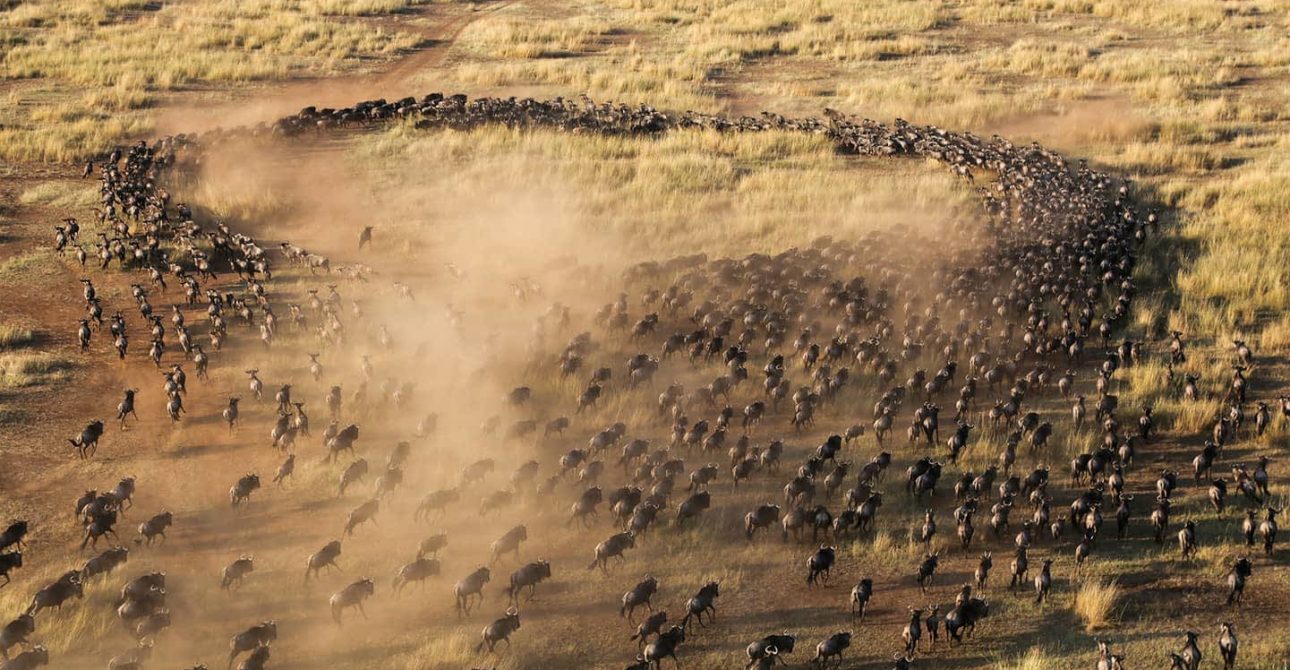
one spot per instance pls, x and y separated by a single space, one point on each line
1002 325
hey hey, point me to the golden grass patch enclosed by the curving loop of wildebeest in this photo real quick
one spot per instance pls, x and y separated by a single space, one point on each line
763 192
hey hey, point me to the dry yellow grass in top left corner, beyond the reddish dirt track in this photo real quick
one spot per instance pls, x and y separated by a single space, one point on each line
90 70
